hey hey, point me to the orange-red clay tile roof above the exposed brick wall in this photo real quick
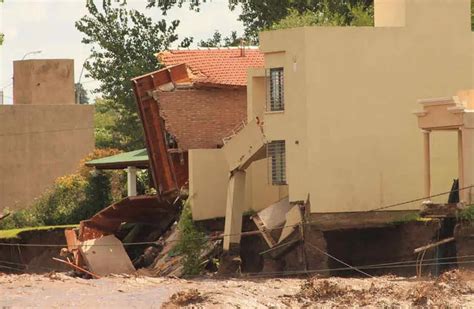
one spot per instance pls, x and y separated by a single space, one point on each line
215 67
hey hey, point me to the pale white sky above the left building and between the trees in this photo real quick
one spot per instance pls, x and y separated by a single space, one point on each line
48 25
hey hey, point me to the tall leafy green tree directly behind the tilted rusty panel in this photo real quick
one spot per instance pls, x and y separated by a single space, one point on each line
123 44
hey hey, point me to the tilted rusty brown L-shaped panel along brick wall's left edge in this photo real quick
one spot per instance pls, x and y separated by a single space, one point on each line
162 167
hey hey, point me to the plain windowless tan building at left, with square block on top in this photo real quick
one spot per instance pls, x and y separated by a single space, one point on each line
44 134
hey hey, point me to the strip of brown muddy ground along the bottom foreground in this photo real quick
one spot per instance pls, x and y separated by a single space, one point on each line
453 289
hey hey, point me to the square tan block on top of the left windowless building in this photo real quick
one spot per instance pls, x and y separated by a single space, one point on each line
43 81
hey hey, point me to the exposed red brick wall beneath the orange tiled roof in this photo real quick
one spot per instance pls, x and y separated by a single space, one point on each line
200 118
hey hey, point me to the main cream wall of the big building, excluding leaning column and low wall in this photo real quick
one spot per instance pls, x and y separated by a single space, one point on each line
352 141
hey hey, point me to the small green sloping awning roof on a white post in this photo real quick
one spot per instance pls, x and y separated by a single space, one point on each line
136 158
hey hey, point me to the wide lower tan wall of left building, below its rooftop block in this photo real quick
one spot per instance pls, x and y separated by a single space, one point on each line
40 143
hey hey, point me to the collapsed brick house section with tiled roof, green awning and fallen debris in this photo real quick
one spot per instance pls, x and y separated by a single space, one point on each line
202 101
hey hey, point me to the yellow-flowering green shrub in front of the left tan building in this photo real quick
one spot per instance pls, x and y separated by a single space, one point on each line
72 198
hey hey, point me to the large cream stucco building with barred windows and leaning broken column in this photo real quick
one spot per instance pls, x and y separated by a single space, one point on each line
330 121
